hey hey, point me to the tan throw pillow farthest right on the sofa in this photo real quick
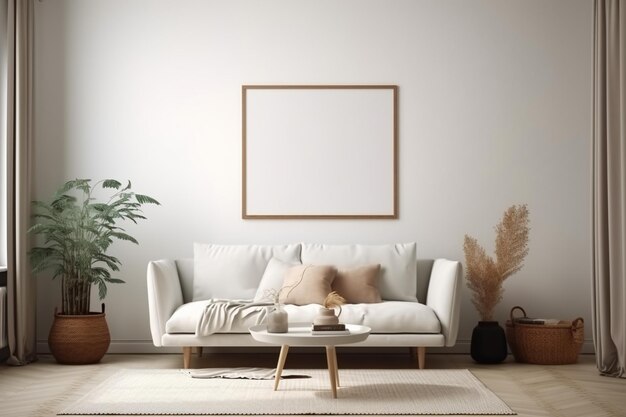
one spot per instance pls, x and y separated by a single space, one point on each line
358 285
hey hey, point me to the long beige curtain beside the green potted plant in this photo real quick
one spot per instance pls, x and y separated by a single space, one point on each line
17 60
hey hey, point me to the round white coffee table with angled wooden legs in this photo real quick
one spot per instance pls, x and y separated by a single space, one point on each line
299 334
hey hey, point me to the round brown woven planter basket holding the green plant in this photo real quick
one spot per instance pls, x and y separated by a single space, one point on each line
79 339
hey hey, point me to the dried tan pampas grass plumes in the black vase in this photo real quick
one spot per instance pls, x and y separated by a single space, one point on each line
486 275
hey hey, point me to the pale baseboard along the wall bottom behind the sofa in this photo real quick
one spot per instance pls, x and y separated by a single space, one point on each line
146 346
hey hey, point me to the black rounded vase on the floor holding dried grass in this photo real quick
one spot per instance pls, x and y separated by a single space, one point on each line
488 343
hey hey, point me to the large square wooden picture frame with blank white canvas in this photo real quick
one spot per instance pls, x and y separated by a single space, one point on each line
319 152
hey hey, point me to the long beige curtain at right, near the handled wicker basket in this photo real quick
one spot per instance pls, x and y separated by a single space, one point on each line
609 187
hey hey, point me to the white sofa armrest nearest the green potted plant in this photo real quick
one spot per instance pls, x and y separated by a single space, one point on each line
164 295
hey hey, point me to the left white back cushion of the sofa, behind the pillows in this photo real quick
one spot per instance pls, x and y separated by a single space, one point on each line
234 271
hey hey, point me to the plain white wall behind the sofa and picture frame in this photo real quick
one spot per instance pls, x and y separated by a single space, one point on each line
494 109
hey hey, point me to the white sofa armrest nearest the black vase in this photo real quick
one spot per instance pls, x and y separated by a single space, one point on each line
444 296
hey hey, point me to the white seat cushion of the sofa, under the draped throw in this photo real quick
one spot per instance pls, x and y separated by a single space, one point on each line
385 317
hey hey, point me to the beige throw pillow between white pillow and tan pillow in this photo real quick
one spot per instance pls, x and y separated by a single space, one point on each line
307 284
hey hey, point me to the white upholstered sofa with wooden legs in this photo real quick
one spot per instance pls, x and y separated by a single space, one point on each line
420 312
